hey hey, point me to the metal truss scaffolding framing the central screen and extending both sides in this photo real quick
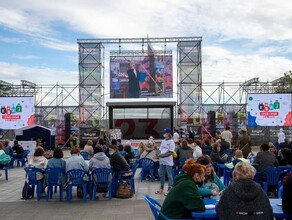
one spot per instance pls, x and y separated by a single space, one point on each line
86 101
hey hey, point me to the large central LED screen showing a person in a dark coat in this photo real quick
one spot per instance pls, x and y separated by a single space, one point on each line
141 76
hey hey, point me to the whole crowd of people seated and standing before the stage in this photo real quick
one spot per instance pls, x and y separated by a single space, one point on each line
195 176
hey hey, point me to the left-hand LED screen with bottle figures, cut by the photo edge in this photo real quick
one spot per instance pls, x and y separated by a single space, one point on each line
16 112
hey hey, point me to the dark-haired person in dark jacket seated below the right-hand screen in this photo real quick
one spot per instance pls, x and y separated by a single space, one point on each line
264 158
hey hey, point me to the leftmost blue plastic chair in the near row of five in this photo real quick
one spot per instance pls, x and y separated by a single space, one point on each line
32 181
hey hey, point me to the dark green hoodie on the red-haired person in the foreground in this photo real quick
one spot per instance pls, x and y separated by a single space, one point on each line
182 199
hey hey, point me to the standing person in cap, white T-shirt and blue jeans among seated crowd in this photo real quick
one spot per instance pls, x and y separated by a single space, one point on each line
166 149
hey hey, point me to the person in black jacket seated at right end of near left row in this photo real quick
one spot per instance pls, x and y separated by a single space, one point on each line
118 162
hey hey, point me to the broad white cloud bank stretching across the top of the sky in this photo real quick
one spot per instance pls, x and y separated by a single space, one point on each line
228 19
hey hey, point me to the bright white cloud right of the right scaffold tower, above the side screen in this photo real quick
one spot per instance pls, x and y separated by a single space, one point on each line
222 65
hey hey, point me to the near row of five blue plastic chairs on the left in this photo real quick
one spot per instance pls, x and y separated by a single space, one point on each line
77 178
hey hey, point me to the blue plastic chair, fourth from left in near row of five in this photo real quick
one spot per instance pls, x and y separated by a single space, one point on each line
102 176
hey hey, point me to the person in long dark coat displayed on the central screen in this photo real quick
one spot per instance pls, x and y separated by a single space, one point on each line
134 77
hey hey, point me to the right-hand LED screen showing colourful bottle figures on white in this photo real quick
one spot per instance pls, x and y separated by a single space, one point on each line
269 109
